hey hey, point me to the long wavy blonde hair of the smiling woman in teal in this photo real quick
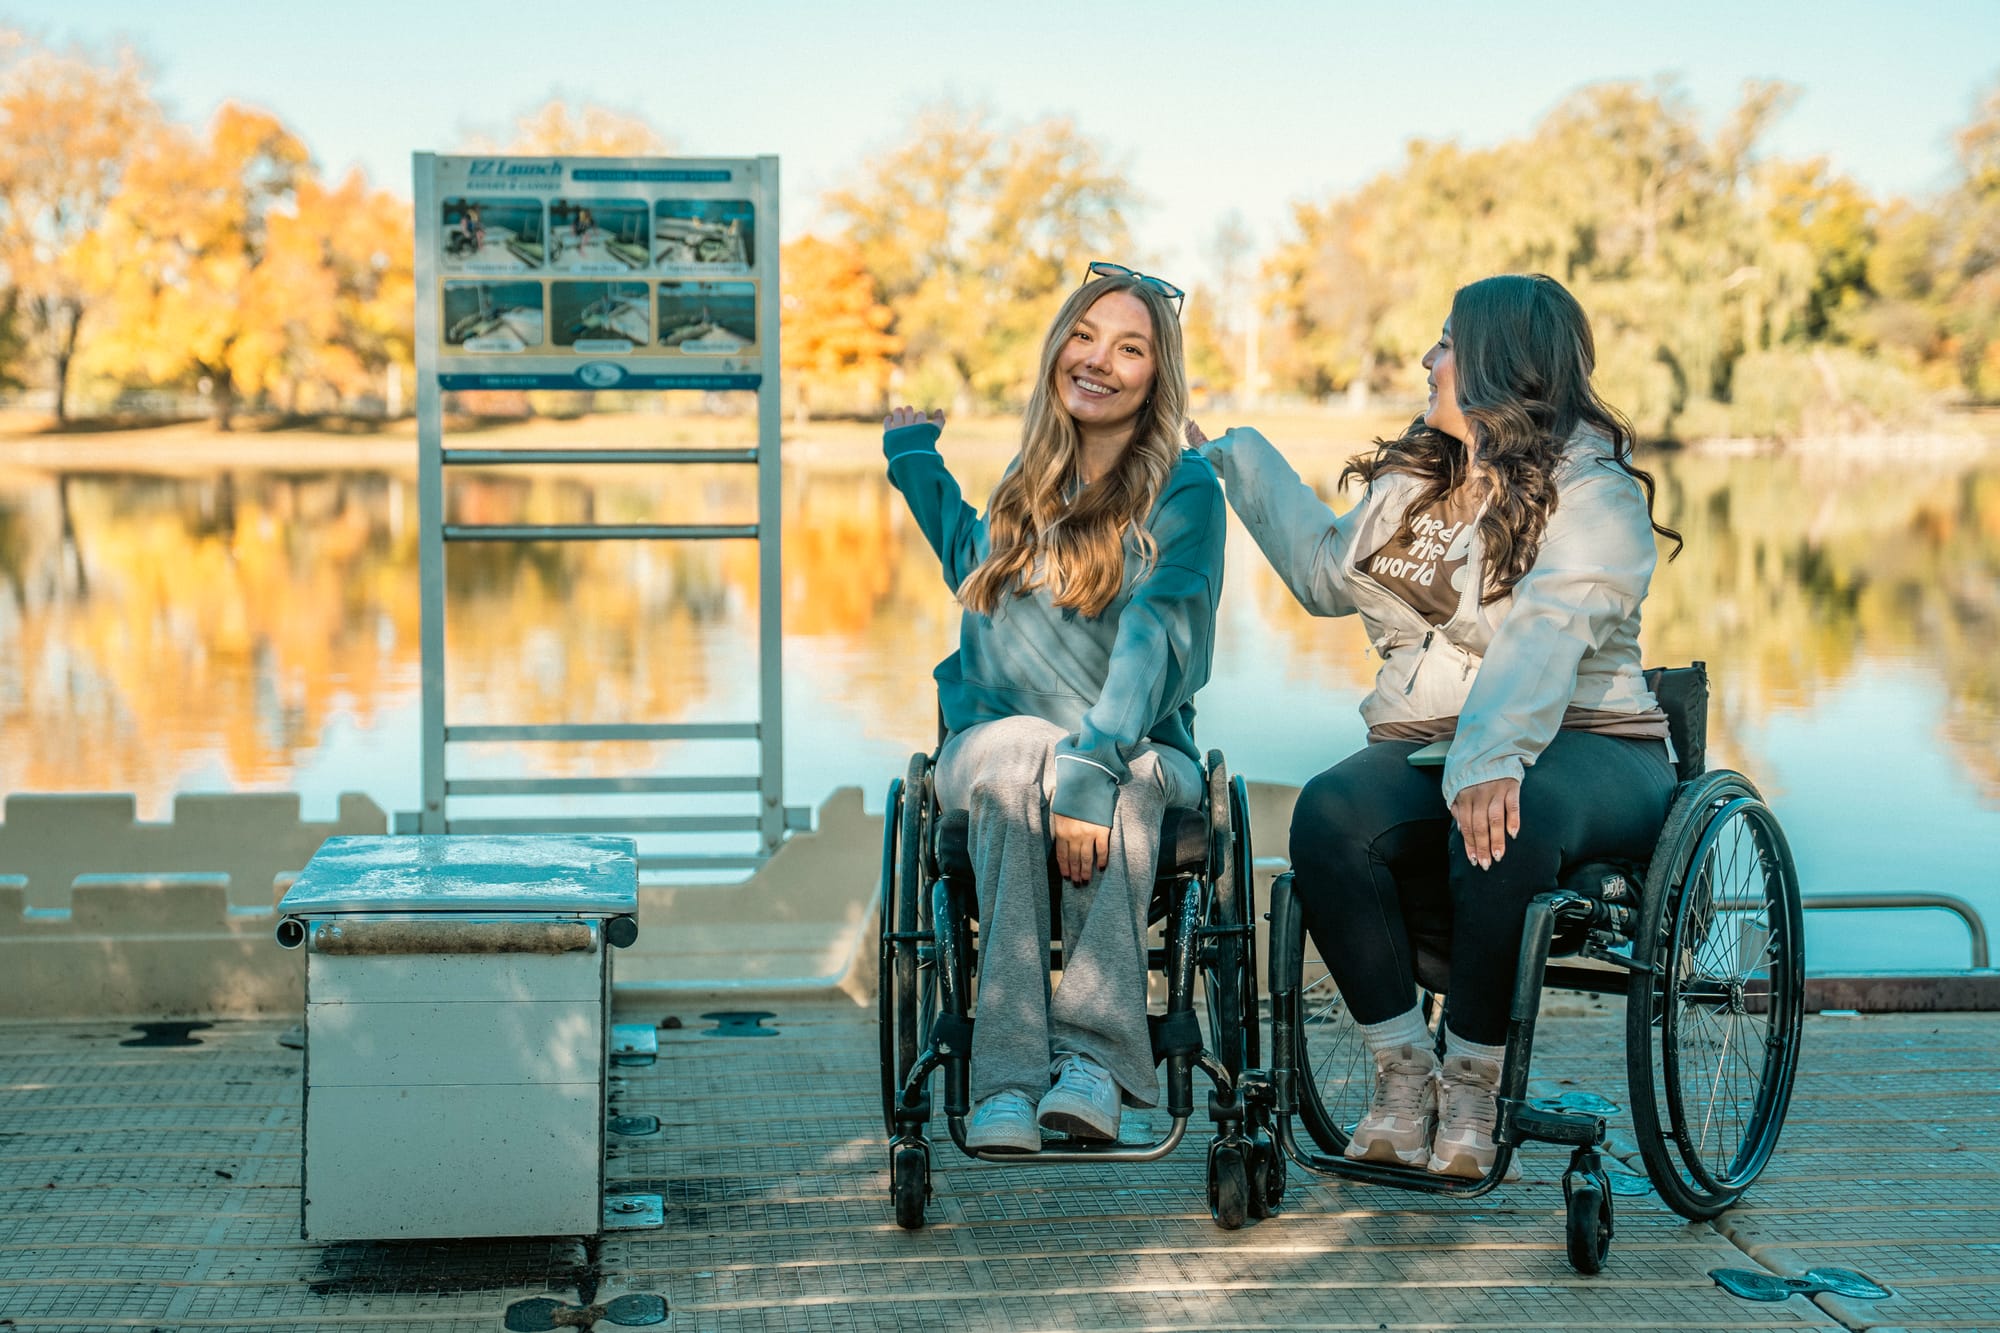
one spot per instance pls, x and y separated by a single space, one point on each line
1043 529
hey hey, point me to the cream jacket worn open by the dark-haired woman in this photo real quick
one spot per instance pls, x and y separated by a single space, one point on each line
1565 635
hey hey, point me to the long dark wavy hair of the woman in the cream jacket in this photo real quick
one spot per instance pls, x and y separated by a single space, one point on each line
1523 355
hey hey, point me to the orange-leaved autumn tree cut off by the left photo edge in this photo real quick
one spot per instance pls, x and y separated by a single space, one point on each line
69 133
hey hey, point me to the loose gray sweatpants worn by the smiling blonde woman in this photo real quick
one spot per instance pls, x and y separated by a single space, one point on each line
1005 776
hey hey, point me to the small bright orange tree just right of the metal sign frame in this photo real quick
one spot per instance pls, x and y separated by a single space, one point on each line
835 325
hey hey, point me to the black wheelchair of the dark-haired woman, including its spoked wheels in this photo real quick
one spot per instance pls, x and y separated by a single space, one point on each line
1707 946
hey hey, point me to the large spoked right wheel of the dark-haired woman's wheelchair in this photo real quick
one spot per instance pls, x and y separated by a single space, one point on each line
1713 1034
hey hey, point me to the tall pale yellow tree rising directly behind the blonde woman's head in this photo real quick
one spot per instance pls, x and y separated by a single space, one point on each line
973 231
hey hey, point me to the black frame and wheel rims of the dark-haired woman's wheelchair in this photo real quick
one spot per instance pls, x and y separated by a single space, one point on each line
1599 912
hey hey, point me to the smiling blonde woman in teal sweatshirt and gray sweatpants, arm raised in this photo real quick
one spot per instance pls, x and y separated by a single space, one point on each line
1089 595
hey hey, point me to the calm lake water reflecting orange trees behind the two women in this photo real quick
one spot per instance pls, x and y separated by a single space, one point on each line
255 629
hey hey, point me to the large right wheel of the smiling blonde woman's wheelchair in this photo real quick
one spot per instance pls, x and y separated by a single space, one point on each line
1229 954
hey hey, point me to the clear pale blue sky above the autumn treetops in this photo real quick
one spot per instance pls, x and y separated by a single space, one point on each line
1229 105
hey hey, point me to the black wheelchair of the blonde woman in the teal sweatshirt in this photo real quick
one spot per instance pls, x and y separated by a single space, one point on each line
929 966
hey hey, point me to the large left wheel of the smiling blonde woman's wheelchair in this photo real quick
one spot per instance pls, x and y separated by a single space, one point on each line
907 994
